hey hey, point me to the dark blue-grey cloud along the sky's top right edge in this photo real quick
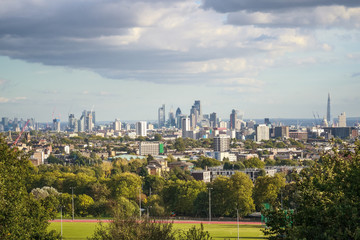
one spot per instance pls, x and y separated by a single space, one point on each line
226 6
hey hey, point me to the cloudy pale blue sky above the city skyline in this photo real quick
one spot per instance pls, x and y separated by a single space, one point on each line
125 58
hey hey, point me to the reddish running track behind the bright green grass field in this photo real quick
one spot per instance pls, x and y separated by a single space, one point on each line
169 221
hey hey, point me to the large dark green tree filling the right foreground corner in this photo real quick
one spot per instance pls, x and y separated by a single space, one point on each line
326 201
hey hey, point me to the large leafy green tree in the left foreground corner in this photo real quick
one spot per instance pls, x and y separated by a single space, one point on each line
18 208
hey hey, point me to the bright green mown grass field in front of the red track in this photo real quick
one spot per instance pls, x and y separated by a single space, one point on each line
82 230
